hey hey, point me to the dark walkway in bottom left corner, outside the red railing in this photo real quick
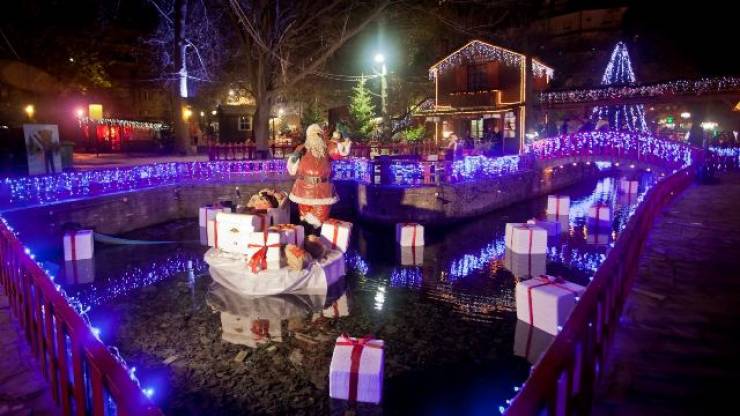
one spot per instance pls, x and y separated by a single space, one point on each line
23 389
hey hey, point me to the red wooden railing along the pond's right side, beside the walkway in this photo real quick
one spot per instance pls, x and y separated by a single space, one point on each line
563 380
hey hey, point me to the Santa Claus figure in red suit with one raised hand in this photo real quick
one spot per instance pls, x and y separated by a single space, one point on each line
311 164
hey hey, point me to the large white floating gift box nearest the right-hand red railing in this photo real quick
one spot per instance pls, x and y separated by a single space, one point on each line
549 299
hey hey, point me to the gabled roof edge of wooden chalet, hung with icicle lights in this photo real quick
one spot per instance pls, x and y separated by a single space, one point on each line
477 51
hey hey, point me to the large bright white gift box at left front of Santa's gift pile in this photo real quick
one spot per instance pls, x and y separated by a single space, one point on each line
230 232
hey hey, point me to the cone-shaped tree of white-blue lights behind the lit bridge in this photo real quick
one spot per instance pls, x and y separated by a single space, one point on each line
619 72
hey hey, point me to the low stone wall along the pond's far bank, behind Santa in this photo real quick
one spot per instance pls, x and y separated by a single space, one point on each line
119 213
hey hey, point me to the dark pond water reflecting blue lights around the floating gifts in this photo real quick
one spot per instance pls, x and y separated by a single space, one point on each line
452 340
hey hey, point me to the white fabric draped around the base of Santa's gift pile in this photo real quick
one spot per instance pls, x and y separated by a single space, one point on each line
233 272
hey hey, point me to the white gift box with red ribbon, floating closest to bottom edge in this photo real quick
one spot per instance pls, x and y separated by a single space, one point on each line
359 380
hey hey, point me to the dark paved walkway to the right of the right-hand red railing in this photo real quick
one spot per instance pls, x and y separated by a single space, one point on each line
676 350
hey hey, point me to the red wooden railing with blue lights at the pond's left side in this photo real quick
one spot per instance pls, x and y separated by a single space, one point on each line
85 378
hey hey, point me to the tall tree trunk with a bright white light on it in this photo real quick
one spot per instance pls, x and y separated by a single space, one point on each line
180 126
